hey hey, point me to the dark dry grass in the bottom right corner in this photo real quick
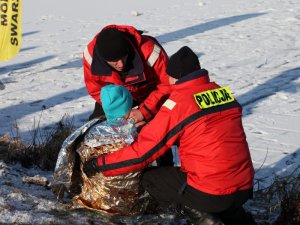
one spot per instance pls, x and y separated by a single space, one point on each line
279 204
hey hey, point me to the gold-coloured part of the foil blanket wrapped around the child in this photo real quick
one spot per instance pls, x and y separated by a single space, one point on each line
120 194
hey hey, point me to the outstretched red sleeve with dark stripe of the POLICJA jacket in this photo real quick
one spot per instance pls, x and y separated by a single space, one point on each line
154 140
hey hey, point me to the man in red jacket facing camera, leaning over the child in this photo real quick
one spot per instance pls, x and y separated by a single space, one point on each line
122 55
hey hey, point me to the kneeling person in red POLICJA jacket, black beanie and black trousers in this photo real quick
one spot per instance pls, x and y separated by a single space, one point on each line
205 121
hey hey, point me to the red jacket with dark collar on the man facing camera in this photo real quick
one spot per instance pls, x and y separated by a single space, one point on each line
147 81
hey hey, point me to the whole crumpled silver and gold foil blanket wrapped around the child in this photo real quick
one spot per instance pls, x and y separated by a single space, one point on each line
122 194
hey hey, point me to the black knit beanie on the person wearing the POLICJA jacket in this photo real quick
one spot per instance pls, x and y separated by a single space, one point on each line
183 62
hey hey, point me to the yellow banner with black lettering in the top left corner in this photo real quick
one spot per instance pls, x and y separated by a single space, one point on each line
10 28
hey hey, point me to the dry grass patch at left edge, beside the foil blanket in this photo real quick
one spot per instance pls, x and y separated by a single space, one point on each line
42 153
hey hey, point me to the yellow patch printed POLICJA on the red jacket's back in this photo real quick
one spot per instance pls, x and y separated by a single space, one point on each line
213 97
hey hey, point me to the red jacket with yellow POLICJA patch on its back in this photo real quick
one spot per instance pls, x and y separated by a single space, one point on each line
212 144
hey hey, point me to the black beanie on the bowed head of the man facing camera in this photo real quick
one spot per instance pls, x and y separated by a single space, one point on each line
112 44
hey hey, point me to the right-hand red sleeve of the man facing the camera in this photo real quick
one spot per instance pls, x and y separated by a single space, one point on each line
152 103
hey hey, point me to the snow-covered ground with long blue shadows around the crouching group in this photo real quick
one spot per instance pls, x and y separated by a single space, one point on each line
251 46
